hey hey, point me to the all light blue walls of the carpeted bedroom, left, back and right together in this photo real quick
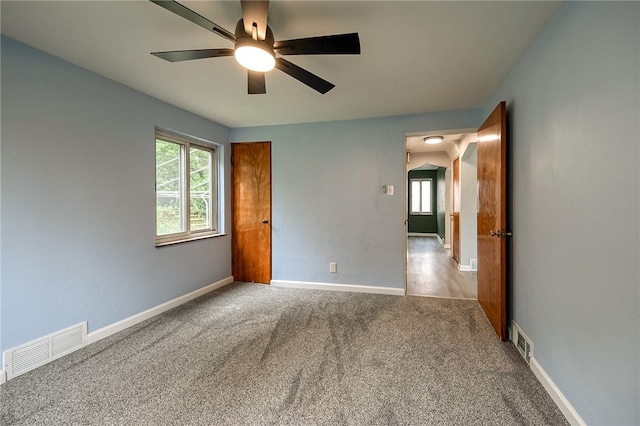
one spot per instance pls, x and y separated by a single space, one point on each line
77 234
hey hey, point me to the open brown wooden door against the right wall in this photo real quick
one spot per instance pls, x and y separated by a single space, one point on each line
492 219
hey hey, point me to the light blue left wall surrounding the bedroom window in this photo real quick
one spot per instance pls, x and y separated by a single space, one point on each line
78 200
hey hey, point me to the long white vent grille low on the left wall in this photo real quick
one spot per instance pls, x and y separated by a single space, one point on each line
41 351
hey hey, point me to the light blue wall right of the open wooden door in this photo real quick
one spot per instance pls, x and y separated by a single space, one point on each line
573 100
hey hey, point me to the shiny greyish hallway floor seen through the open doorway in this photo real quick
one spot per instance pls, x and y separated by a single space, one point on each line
432 272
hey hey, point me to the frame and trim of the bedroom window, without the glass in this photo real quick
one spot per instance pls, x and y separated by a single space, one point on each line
187 141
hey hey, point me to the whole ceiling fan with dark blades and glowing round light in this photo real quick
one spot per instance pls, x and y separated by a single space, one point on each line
256 49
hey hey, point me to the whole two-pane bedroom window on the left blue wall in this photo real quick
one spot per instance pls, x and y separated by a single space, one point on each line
186 188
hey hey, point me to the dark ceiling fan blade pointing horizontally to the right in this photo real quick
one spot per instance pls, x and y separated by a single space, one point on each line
341 44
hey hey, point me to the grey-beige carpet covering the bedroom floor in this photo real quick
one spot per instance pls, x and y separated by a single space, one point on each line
258 355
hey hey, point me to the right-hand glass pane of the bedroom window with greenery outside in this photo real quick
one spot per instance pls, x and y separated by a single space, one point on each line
200 196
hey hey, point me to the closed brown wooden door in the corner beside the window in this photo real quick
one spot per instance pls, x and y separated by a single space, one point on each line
251 212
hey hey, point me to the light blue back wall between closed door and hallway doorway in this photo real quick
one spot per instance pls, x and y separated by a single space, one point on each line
328 204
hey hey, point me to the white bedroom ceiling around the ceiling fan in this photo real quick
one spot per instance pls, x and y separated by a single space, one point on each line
417 56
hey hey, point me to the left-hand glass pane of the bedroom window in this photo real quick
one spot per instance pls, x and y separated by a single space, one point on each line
168 184
